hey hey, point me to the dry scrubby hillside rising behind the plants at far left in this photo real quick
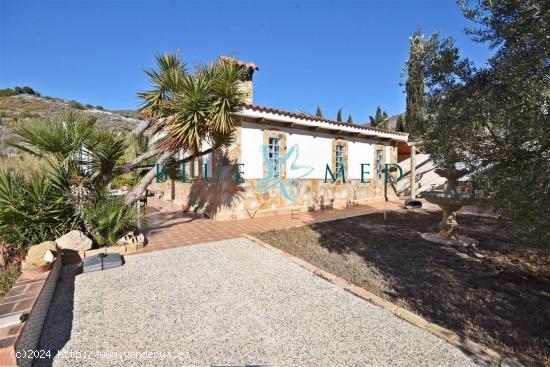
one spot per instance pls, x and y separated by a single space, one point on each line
16 109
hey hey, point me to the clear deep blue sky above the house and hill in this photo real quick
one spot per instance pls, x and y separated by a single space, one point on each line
335 54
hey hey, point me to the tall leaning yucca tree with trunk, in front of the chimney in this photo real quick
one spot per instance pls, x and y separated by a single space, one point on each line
190 109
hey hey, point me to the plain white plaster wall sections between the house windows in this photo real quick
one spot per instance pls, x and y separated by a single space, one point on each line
315 150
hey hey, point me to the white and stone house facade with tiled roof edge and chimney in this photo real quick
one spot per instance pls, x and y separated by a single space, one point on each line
281 161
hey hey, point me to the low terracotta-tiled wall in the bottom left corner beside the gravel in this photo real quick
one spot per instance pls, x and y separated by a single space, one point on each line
31 296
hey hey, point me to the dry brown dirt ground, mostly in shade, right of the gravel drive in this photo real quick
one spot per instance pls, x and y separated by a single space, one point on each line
497 295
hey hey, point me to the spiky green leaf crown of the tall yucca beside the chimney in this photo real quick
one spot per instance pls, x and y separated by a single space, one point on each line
200 109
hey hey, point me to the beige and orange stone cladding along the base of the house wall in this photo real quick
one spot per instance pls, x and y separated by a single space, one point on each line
225 200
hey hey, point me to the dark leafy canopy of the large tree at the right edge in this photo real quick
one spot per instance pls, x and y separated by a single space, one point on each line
493 120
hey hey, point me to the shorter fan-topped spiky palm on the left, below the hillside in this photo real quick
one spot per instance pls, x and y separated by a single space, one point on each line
81 157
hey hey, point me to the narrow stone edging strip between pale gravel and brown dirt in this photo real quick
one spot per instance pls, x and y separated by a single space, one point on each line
478 351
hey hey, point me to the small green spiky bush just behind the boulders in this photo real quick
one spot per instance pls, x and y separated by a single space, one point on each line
110 219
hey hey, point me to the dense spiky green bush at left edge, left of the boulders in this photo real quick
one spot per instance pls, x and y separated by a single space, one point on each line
32 210
